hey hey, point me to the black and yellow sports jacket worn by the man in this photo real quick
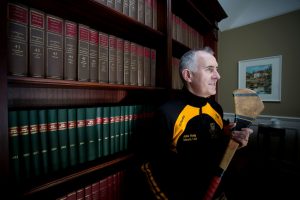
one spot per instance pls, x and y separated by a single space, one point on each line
187 145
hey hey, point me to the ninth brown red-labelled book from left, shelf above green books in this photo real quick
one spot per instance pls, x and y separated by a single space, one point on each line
120 61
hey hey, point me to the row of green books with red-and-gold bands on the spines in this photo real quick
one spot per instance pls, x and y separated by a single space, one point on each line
48 140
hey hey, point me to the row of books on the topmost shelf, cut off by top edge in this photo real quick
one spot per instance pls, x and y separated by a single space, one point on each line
144 11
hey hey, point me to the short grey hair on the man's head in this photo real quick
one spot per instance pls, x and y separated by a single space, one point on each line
188 60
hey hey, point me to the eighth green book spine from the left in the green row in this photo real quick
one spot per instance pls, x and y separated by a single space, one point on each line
81 133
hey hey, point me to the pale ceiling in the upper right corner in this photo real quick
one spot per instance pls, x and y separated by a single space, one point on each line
244 12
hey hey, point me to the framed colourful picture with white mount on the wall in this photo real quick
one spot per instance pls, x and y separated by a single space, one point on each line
263 75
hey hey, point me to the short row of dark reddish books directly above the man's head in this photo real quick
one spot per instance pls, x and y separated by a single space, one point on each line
185 34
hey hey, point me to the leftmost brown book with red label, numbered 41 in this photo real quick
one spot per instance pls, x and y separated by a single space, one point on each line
17 39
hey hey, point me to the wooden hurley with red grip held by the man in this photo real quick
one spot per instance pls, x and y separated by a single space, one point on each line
248 106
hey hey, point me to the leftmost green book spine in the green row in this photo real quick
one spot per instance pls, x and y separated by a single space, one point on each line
14 150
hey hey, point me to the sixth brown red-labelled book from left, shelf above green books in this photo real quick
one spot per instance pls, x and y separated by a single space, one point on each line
93 54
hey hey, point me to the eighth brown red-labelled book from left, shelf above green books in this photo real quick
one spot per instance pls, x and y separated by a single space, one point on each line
112 59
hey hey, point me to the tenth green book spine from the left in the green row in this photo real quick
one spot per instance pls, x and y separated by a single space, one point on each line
99 129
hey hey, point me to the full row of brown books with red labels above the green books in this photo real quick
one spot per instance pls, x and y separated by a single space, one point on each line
46 46
